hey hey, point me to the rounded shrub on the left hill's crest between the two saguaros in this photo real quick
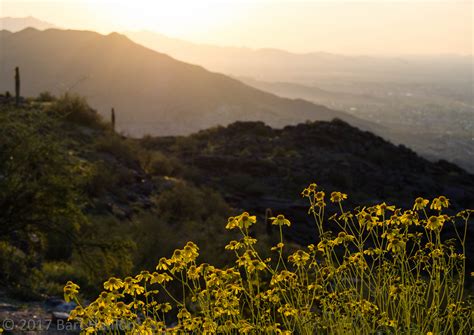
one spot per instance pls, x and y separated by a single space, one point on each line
75 108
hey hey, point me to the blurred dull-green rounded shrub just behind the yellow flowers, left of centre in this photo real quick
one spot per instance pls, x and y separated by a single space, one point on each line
183 212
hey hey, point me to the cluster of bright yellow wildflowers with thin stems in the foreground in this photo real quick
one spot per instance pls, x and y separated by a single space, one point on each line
375 270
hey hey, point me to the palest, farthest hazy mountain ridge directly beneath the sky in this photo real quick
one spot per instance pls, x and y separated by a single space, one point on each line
280 65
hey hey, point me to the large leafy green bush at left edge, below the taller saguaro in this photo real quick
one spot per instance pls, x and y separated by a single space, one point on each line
39 181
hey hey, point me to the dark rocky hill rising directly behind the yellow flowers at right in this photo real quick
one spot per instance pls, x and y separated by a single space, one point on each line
257 167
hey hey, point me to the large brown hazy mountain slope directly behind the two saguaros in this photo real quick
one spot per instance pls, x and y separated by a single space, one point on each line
152 93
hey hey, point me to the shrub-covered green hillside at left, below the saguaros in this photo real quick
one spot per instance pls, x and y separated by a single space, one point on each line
76 202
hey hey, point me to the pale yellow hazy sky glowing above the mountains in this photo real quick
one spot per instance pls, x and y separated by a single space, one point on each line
349 27
